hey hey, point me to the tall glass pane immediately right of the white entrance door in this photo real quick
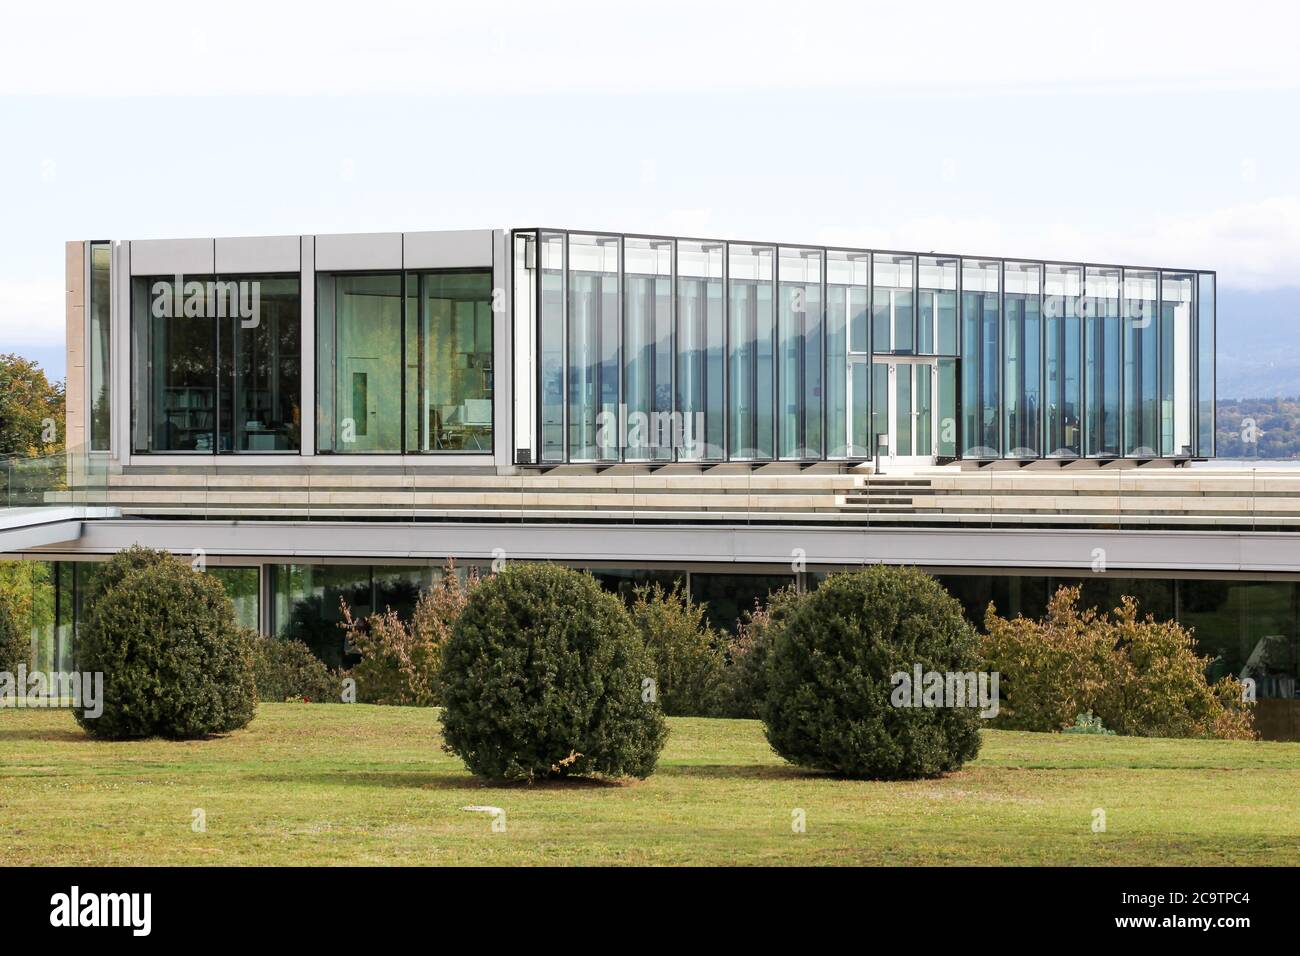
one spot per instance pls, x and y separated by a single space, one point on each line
981 360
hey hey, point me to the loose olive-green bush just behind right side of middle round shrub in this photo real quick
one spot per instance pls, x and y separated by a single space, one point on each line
686 651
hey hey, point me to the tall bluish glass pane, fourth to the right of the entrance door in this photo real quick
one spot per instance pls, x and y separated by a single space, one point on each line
1102 362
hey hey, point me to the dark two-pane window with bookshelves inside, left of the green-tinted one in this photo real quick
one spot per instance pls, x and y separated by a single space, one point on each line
216 365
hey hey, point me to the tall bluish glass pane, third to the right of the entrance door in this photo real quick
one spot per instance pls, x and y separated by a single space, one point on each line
1063 289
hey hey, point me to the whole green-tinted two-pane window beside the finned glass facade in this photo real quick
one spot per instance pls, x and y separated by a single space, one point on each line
405 362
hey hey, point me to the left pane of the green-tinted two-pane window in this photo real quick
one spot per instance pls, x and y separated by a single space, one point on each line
359 364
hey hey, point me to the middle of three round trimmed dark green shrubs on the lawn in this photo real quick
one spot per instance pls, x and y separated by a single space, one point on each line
543 677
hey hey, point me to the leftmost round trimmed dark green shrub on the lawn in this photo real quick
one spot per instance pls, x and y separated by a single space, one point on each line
175 660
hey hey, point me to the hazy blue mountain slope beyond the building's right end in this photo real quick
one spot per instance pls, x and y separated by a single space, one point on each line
1259 344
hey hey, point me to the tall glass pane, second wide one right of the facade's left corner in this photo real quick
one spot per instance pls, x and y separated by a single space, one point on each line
648 351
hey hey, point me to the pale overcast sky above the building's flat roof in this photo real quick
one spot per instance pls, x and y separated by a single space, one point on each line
1142 133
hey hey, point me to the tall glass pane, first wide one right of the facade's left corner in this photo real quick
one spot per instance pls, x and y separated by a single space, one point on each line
593 348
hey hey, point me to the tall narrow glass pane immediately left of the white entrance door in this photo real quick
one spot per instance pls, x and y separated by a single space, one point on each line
848 354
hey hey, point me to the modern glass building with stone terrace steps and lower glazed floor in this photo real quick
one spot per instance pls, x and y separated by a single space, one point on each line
333 418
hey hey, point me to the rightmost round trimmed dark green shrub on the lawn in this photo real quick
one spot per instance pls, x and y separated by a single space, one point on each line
830 699
